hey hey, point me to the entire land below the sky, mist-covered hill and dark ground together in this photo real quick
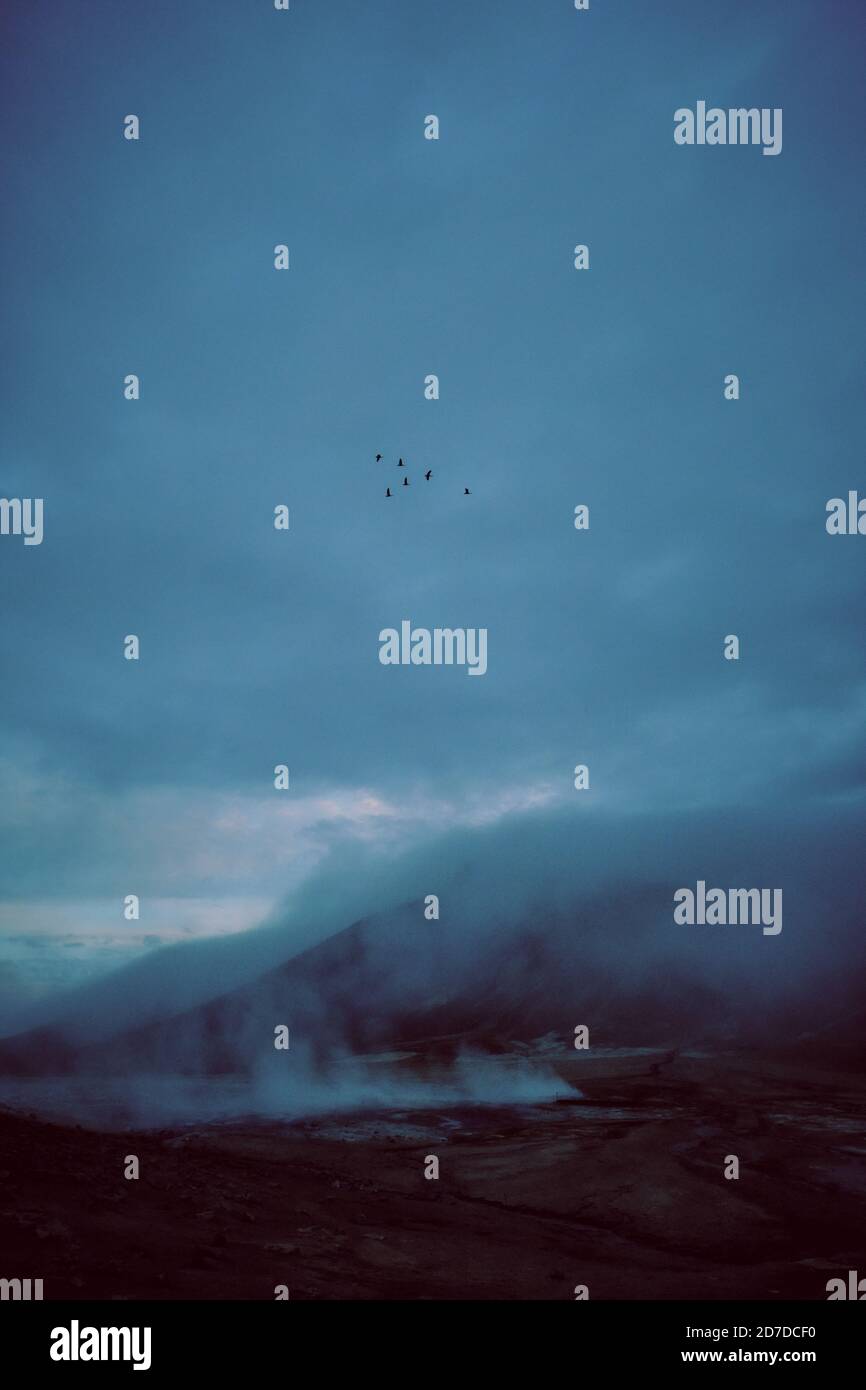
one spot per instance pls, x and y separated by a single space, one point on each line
561 1166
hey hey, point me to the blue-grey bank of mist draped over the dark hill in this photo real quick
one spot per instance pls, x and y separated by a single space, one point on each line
547 921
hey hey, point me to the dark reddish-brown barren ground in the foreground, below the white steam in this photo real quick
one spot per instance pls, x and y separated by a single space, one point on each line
619 1188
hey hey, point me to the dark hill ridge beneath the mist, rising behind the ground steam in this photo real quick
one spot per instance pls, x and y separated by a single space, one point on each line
397 981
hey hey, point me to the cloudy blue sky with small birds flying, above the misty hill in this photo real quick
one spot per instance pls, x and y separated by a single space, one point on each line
414 258
